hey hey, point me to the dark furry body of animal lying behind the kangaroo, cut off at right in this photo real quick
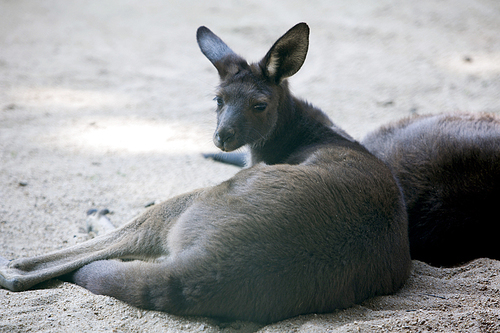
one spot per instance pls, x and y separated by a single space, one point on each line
449 169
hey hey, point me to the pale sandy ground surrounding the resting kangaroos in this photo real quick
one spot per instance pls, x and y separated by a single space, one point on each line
109 104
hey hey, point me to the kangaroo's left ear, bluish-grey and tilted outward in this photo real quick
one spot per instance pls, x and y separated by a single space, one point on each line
219 54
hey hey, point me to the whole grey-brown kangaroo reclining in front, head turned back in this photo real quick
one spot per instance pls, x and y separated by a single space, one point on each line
318 223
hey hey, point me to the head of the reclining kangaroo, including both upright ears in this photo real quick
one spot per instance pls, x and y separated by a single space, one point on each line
250 98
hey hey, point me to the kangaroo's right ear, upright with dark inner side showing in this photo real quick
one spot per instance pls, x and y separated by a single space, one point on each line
288 54
